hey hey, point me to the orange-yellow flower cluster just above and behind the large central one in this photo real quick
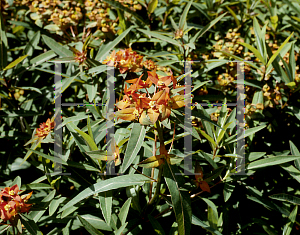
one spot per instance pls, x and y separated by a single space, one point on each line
128 61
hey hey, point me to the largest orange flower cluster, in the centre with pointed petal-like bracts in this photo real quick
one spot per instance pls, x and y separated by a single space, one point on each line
145 107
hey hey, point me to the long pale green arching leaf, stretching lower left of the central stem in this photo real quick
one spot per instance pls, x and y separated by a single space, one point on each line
106 185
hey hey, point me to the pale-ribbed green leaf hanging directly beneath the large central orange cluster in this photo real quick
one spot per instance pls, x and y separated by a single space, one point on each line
134 145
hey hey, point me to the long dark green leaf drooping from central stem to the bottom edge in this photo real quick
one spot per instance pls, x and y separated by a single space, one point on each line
180 200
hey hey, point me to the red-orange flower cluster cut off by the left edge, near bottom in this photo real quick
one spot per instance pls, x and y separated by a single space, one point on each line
11 203
